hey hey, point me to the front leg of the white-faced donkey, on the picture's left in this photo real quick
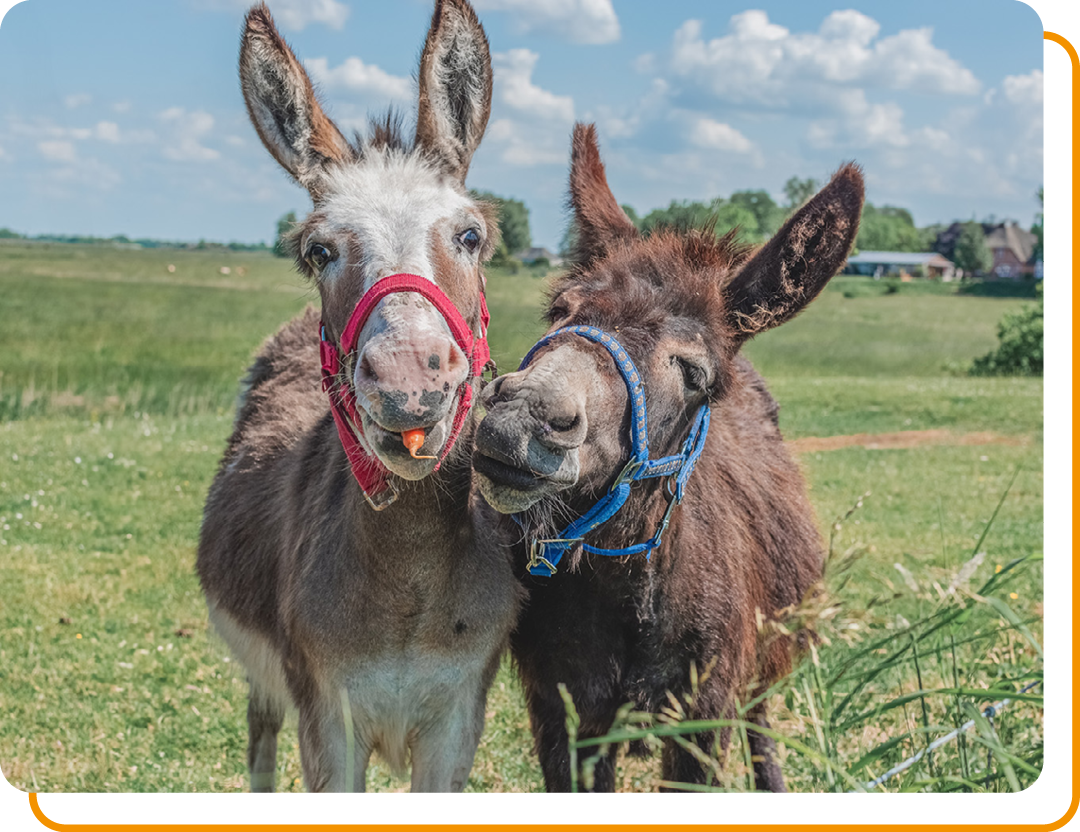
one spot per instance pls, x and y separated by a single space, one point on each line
325 754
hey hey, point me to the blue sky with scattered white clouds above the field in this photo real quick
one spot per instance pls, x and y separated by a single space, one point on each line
126 117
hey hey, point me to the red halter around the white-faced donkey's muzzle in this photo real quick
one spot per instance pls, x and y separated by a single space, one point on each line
373 477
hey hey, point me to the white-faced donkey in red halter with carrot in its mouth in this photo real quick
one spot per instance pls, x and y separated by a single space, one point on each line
389 621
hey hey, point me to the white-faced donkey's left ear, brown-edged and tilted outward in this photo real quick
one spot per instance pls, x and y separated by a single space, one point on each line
282 104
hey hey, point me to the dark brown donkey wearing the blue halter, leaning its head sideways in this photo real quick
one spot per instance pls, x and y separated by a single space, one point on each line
618 629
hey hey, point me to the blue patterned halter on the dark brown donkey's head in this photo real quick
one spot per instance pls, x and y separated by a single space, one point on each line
545 555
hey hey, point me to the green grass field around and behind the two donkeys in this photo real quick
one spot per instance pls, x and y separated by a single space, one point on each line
117 384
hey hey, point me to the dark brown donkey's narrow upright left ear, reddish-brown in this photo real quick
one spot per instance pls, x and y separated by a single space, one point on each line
598 219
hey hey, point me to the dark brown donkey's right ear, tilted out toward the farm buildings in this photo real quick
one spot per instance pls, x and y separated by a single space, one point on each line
790 271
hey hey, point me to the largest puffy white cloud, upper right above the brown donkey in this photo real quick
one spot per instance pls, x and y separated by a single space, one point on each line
765 64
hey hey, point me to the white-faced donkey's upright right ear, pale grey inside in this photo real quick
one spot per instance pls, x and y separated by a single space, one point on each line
455 87
